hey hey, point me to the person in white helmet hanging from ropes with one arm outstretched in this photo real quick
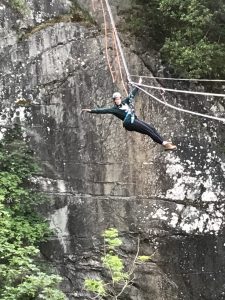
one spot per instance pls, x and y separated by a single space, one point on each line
123 109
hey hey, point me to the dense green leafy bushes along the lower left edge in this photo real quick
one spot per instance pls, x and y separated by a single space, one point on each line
21 227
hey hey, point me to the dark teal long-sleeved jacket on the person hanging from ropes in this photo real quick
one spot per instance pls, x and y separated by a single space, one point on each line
118 110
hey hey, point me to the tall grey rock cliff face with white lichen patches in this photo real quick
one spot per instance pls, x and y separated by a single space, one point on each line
98 175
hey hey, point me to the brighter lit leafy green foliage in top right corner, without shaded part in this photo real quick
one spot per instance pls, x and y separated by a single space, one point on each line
196 47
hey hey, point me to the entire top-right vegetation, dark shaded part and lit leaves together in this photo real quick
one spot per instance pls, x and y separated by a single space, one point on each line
190 34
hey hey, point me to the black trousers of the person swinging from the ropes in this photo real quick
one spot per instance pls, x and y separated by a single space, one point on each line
144 128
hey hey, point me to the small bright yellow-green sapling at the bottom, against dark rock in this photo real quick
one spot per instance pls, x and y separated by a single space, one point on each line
114 265
